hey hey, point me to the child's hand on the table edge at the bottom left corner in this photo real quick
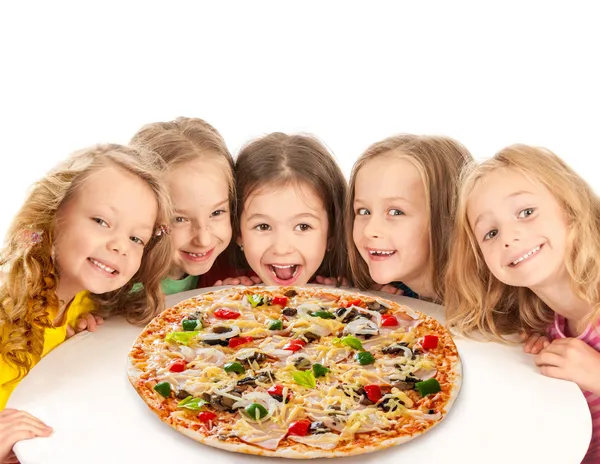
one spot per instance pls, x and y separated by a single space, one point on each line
16 426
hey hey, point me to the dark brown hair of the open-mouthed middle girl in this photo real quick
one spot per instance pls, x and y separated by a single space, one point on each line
279 159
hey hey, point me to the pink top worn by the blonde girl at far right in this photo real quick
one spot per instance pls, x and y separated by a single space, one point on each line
591 336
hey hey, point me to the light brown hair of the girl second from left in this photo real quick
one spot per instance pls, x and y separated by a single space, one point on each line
187 139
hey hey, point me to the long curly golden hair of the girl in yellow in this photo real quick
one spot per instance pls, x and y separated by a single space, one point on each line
29 288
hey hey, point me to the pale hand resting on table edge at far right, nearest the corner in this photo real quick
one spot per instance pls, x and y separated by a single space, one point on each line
571 359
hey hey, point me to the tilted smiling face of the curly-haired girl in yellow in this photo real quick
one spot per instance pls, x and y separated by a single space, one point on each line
101 232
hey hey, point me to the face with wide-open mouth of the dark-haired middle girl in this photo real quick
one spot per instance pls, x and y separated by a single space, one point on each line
284 233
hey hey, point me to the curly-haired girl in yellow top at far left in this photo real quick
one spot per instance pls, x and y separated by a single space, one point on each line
87 231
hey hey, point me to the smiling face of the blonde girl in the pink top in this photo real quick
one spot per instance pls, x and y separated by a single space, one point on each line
520 229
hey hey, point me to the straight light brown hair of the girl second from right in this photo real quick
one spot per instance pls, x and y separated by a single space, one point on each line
439 161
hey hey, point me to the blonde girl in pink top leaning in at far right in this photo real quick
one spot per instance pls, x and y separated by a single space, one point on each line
526 258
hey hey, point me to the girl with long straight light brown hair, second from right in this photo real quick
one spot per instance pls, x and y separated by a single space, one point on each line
400 212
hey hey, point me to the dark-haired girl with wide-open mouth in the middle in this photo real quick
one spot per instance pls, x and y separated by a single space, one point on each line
290 224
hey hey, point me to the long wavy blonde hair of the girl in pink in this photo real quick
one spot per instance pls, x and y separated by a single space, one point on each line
478 302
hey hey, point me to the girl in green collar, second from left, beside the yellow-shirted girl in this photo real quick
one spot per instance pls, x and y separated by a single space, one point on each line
202 189
